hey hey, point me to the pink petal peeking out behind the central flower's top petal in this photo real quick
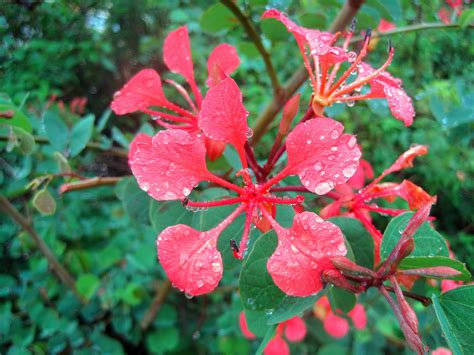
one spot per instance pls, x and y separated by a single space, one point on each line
222 61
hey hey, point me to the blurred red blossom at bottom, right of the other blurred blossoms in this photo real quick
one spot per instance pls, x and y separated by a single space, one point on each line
337 326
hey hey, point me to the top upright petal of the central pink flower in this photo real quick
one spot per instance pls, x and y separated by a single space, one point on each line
223 116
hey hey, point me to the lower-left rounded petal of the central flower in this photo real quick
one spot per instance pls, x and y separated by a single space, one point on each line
190 258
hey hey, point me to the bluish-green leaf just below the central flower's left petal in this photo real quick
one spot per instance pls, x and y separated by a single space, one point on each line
136 202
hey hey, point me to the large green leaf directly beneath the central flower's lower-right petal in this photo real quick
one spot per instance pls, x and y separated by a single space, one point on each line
259 293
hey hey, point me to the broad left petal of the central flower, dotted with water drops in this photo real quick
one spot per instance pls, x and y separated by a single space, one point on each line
168 165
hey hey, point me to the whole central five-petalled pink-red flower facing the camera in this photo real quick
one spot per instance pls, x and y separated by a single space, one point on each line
170 164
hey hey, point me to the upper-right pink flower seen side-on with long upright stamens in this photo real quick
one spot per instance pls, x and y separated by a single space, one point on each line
327 60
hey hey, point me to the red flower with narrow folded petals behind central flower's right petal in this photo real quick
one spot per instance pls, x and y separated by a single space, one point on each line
358 204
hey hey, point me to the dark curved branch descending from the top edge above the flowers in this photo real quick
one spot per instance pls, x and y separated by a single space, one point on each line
254 36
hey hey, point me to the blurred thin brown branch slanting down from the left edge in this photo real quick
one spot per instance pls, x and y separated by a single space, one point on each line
63 275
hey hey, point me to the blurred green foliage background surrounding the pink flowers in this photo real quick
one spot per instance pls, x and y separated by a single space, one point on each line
61 62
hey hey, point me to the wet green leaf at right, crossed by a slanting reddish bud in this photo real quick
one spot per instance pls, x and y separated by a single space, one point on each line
428 242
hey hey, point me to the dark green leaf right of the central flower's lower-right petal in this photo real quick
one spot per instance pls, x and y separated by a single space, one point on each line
360 240
